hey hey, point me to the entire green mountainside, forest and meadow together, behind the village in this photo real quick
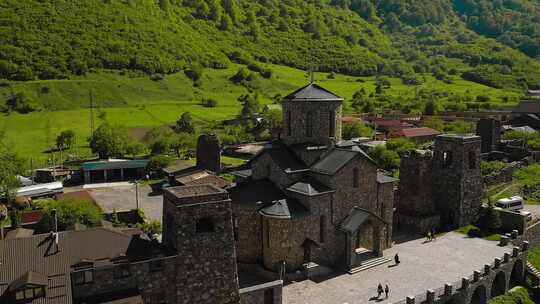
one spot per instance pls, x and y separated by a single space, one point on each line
134 57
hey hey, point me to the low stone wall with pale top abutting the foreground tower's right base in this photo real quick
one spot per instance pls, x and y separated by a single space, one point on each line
262 293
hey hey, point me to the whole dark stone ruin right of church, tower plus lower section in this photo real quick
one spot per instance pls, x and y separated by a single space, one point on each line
441 188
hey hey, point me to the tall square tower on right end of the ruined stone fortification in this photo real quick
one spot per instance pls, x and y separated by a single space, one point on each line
457 180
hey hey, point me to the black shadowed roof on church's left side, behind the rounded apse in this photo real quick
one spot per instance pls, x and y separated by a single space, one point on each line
255 193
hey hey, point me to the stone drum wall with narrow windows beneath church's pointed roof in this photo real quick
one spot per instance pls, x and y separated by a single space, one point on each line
321 118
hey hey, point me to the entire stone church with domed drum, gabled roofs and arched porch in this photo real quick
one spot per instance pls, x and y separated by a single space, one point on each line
308 198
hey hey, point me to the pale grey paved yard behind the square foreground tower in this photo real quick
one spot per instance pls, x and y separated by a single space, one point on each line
121 197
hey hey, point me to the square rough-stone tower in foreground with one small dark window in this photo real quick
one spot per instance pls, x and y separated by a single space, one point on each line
198 224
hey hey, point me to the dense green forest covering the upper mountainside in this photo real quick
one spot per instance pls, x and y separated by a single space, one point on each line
490 42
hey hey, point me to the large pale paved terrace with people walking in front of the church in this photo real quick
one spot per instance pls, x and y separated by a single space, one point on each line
423 266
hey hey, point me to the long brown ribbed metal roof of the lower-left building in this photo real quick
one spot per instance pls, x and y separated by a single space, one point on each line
39 254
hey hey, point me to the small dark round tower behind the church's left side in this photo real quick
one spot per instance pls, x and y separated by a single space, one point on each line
209 153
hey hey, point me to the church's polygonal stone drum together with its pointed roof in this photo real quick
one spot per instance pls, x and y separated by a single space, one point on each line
312 115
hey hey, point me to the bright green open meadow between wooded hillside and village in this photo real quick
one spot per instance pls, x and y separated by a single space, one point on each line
141 102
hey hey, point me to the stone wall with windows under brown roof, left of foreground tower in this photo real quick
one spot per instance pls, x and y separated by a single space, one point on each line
154 285
